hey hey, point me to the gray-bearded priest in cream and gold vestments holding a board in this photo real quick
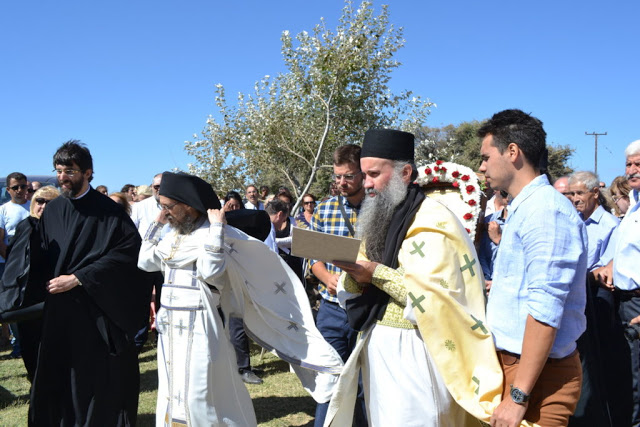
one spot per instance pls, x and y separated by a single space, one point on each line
417 268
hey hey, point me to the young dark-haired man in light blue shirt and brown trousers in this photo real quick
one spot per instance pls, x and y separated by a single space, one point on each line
537 299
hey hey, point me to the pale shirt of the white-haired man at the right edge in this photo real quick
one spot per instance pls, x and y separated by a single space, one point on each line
626 274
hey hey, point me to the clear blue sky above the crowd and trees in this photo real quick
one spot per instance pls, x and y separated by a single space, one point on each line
134 80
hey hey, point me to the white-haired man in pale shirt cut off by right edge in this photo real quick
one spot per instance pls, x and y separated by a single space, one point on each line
621 274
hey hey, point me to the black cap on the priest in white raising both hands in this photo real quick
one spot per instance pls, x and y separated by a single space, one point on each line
190 190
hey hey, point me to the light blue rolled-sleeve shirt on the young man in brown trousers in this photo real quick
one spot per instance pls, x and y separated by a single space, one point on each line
540 270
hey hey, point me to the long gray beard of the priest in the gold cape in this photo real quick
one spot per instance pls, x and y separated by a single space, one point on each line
375 216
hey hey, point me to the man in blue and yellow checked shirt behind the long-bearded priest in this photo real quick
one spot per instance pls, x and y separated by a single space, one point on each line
338 216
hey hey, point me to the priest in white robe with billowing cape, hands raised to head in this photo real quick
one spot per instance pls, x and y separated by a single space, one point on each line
203 262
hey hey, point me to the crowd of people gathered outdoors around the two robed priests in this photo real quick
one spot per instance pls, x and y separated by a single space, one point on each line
532 320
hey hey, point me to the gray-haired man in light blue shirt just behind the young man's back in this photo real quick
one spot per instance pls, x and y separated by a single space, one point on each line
596 344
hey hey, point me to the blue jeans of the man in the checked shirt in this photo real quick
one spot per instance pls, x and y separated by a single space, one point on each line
334 326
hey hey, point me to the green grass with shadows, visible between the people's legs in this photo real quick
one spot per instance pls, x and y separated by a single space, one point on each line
279 401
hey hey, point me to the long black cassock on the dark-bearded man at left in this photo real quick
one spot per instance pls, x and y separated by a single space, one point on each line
87 371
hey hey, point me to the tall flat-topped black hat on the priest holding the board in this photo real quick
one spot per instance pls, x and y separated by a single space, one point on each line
388 144
